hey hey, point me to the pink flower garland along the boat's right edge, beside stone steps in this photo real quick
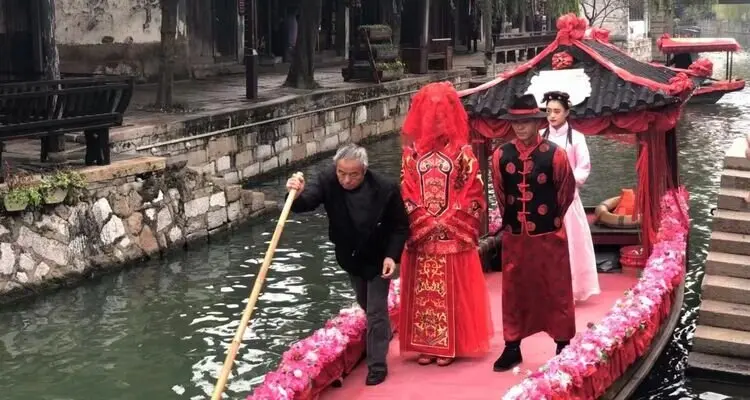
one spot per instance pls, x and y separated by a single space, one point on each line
564 375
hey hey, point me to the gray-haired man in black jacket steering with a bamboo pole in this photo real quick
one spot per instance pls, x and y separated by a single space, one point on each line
369 227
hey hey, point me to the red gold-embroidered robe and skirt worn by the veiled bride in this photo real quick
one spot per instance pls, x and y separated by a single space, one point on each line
444 301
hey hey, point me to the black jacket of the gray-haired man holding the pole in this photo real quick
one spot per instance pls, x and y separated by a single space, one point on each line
362 242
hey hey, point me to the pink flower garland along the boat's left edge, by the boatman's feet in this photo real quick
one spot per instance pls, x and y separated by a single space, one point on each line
307 359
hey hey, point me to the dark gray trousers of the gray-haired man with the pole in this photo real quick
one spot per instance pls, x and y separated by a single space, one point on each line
372 296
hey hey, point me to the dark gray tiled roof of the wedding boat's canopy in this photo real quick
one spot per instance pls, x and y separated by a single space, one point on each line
610 94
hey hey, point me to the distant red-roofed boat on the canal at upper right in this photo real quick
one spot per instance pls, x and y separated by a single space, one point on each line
679 57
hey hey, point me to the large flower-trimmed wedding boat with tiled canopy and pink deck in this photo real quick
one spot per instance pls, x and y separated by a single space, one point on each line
621 331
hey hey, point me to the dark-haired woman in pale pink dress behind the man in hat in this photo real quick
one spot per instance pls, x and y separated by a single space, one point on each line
580 245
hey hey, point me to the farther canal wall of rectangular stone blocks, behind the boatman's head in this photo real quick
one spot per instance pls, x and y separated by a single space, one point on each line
243 143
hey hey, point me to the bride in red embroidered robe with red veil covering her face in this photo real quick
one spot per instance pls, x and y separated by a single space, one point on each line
445 309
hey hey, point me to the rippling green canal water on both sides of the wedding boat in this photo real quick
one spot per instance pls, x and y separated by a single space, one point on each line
160 331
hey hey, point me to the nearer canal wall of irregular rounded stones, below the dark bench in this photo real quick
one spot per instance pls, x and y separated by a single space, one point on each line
131 210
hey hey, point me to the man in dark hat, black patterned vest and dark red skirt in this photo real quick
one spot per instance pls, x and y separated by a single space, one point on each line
534 186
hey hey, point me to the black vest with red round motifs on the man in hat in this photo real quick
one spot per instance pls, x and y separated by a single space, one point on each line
530 194
